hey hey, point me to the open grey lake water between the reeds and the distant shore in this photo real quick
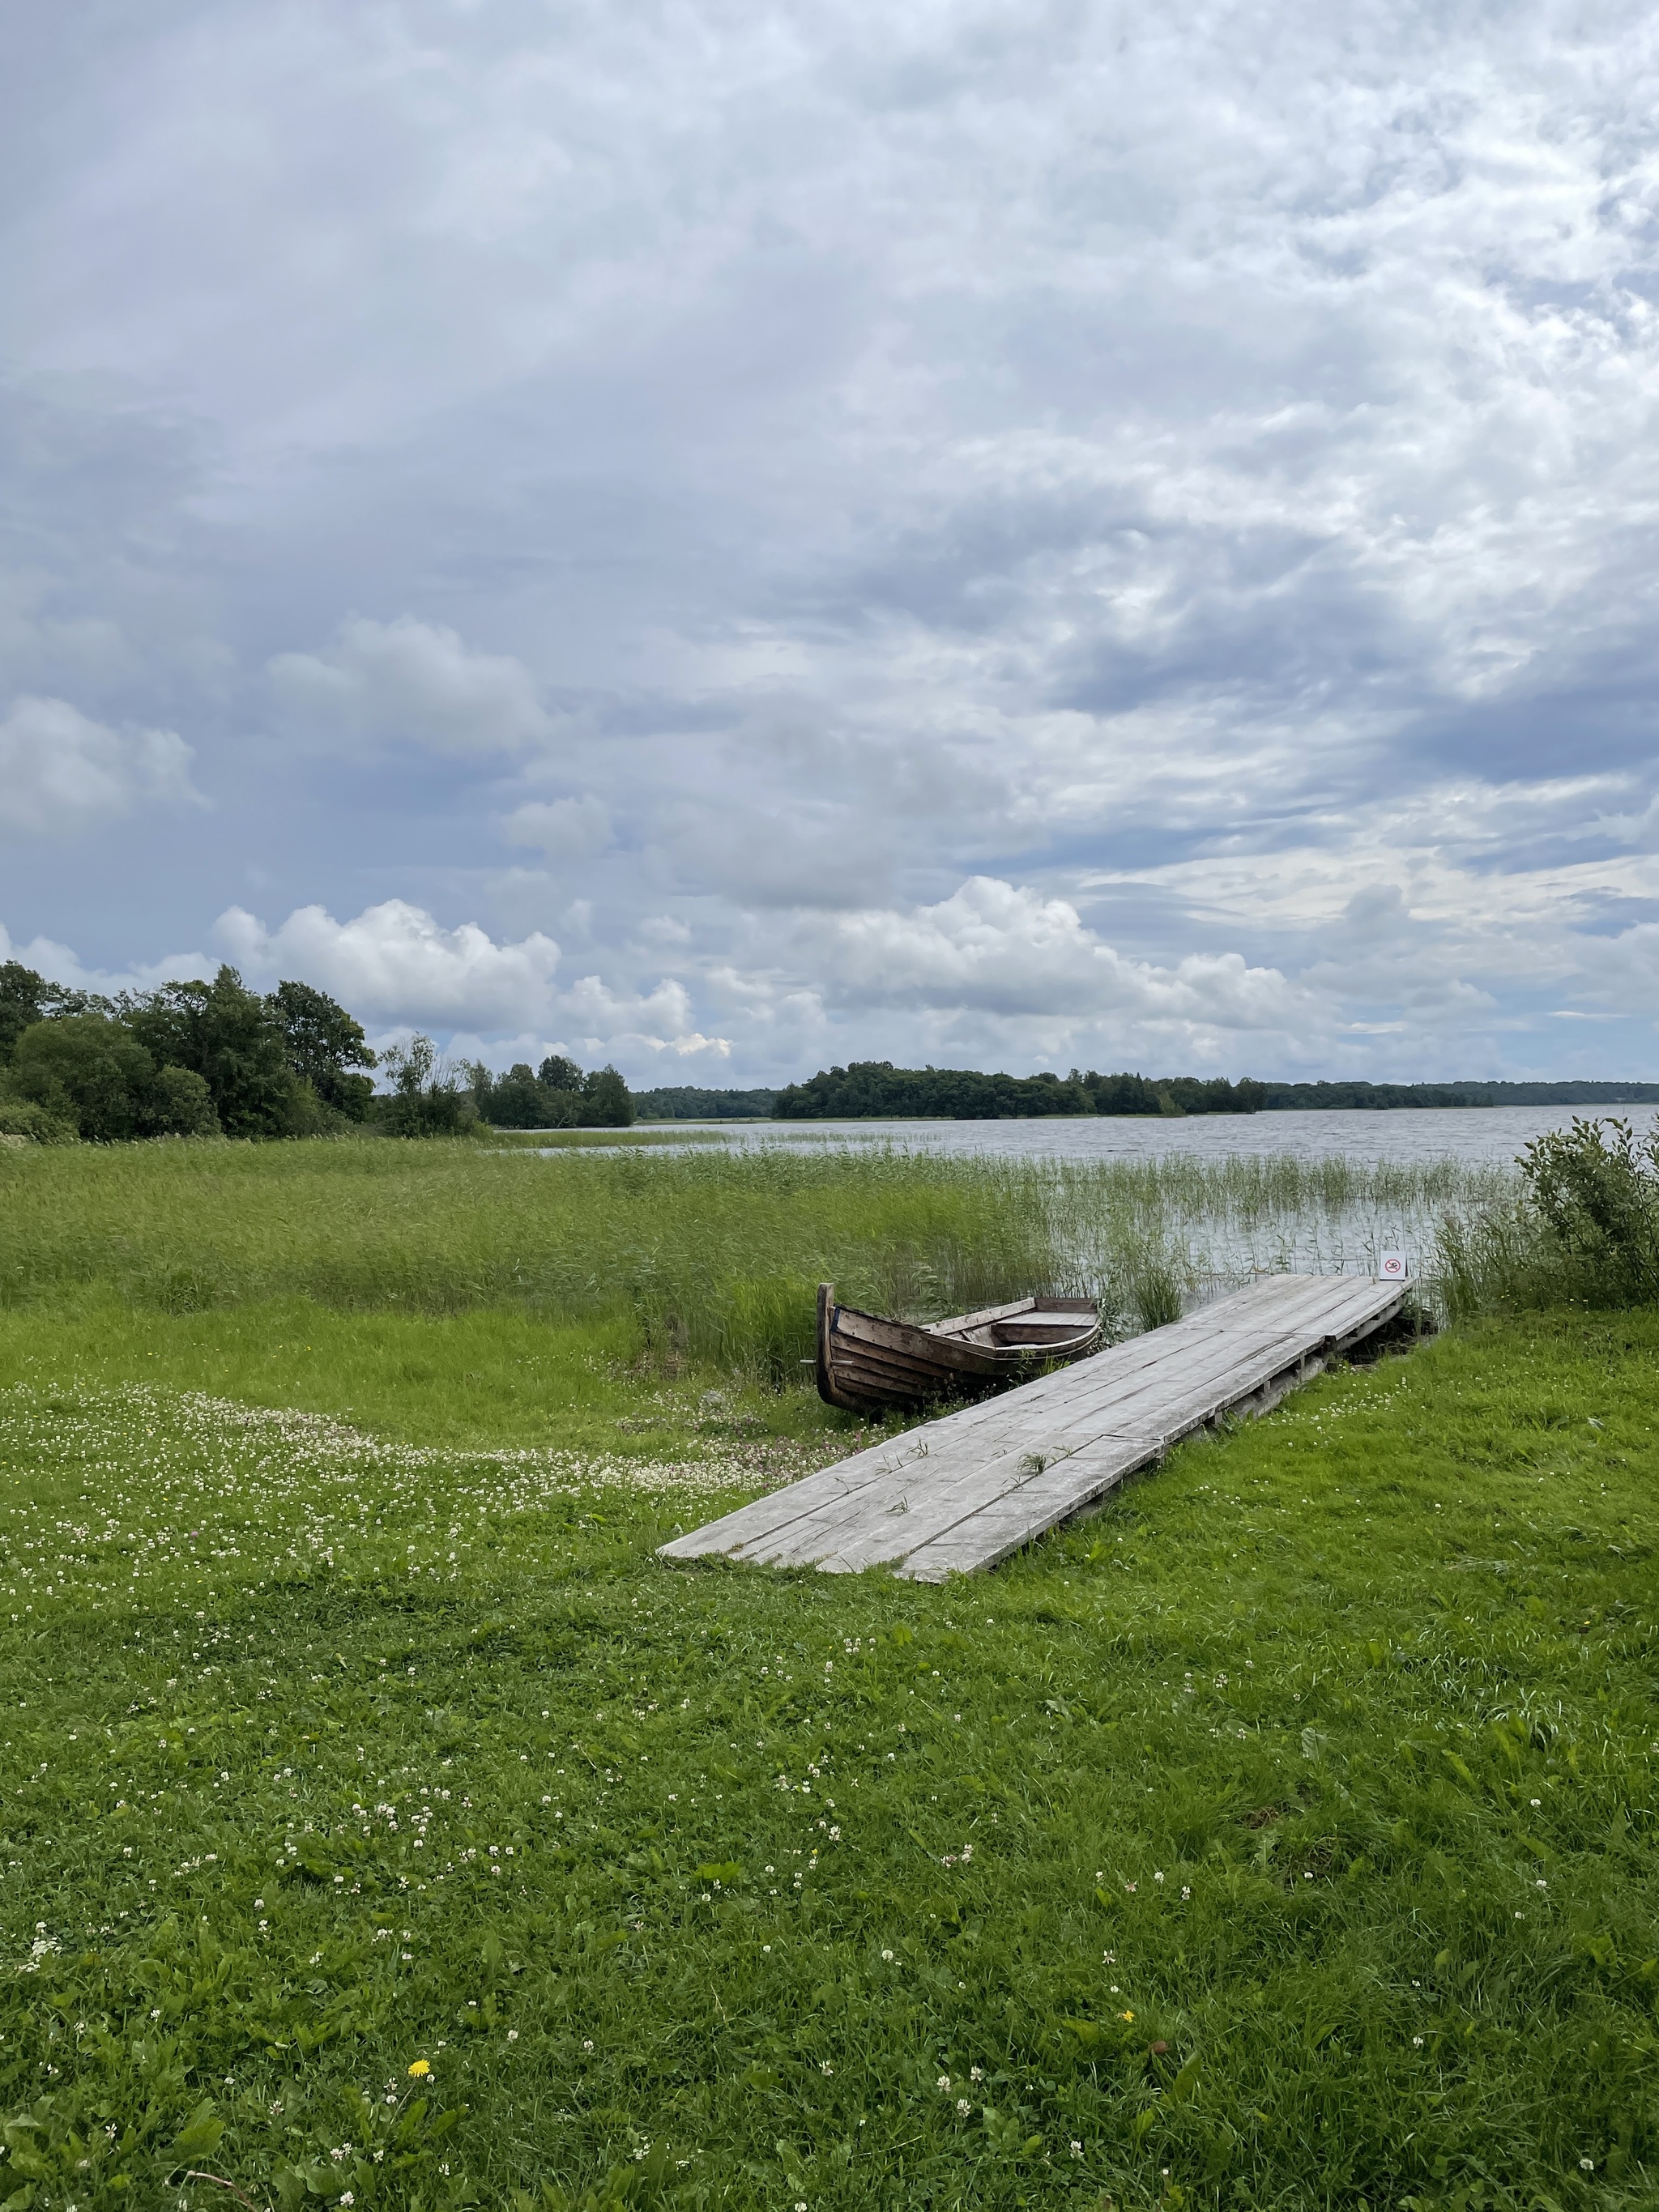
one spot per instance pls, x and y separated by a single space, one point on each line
1485 1136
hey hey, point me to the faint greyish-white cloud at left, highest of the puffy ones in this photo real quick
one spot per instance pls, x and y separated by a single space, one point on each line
413 680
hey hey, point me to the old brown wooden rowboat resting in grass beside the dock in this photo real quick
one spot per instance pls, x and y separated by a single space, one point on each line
868 1361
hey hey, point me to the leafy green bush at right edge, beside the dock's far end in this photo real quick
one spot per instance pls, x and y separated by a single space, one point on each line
1583 1229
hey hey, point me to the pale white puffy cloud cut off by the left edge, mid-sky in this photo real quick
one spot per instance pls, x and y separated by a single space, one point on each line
63 773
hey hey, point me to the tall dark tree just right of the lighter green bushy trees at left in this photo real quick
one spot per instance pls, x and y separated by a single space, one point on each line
236 1043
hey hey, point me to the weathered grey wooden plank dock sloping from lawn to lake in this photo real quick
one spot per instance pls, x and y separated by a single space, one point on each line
972 1488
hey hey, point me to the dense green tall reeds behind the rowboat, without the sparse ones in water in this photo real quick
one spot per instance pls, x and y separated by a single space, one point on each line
716 1258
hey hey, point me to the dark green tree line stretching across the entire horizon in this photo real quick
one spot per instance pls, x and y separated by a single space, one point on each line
222 1061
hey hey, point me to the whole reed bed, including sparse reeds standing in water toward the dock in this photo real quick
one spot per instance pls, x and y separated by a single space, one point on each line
716 1255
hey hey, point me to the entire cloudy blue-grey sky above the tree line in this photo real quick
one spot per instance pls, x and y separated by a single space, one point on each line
731 539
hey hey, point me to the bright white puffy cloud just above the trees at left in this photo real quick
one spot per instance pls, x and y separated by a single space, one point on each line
395 963
